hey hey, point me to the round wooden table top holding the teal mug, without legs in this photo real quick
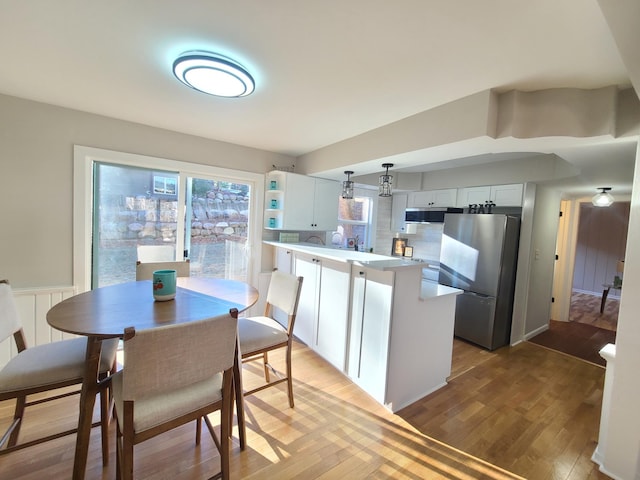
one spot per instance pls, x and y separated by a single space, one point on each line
107 311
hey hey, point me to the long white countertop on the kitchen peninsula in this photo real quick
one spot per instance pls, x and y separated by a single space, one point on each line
364 259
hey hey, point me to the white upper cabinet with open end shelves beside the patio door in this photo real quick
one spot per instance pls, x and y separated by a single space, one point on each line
299 202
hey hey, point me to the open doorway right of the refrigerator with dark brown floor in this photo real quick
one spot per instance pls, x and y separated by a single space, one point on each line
590 250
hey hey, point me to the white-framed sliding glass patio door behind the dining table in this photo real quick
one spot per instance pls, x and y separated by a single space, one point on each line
124 201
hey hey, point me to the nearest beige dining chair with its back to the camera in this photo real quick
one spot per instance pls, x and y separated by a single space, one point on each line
172 375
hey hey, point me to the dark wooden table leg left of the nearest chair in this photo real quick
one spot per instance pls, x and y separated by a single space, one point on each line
87 401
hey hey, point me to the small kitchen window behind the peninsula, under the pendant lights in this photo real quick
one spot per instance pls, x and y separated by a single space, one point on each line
354 222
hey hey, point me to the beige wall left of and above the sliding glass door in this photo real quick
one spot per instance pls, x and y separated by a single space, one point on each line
36 174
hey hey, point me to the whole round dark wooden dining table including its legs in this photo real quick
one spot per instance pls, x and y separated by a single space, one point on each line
106 311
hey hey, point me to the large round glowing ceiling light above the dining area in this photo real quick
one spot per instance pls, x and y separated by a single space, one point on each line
213 74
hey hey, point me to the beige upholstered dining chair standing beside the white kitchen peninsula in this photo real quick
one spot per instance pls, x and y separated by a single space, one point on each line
263 334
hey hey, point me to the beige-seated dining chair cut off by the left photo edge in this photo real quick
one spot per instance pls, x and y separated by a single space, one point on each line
45 368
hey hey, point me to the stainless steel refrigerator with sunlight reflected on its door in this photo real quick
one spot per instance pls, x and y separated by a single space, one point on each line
479 255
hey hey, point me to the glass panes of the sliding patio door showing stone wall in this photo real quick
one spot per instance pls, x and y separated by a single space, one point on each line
136 212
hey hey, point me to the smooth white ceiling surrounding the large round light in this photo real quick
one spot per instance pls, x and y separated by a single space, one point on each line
326 70
